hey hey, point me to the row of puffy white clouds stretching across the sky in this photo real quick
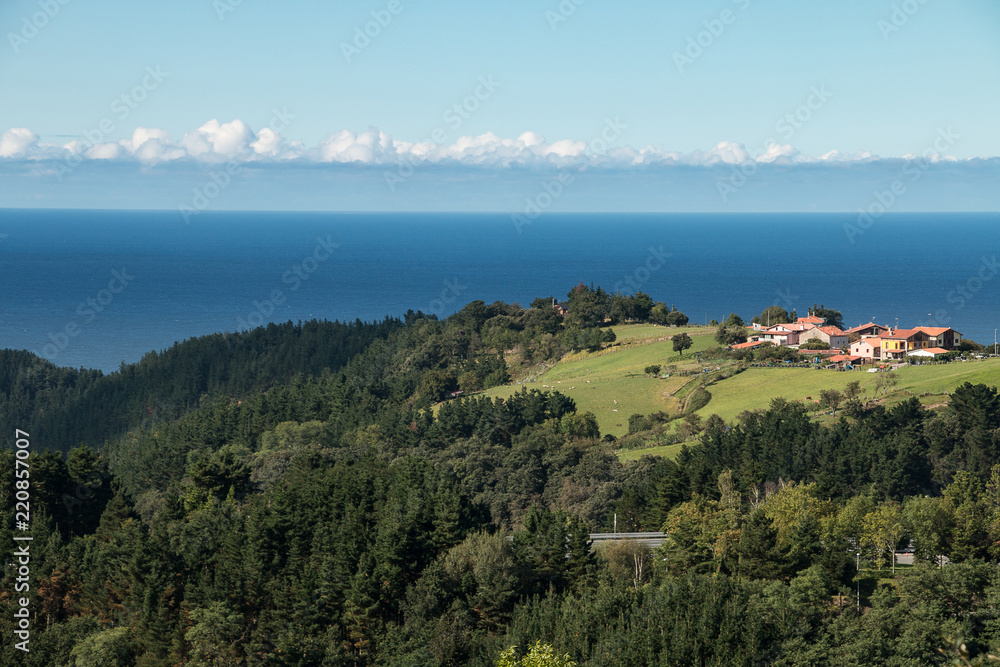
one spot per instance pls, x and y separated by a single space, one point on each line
235 141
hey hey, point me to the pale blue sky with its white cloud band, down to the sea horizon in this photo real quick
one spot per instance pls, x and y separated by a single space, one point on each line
819 105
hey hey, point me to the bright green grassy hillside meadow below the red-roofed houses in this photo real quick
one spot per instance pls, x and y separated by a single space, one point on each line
612 383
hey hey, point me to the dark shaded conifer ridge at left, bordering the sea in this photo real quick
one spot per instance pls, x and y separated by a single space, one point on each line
67 407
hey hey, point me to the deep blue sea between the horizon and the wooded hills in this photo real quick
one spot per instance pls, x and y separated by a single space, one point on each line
228 270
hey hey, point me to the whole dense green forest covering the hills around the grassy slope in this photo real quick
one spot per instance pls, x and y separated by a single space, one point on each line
320 494
